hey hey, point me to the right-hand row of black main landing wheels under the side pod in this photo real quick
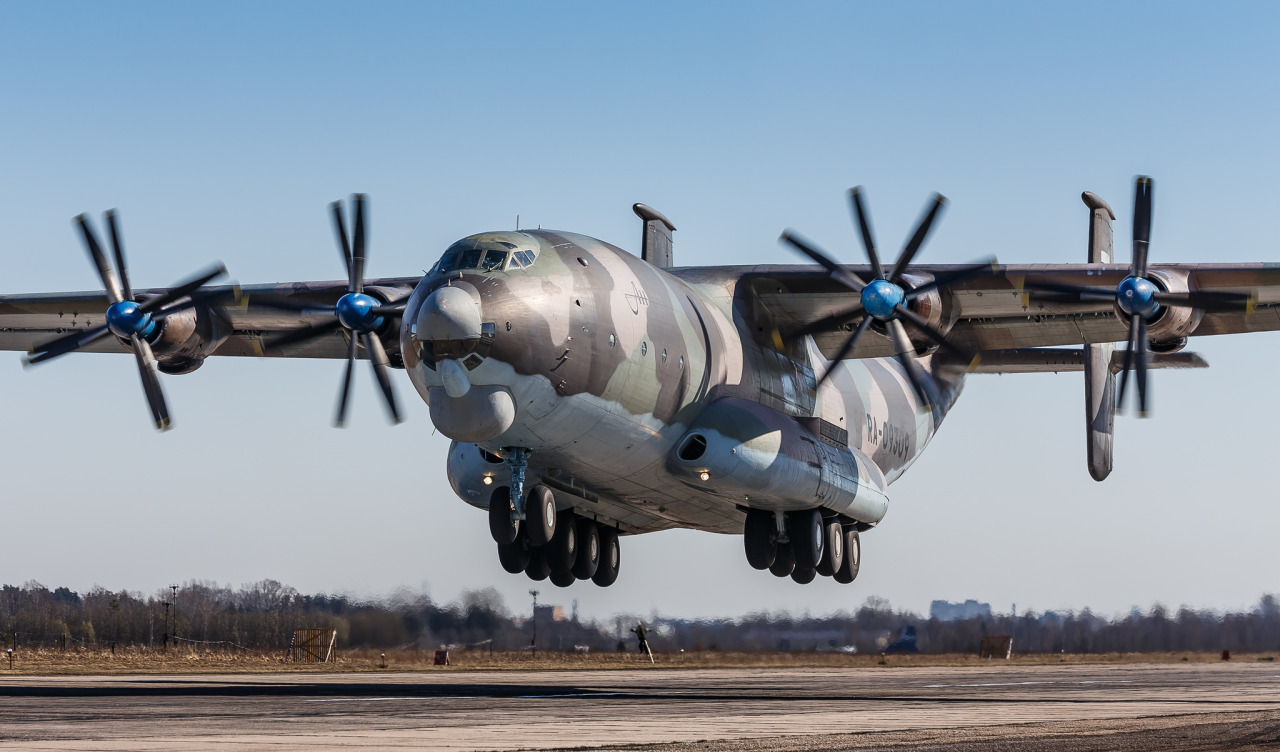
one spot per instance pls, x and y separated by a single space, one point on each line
812 545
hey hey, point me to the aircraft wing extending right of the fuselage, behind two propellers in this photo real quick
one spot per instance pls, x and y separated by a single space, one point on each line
994 313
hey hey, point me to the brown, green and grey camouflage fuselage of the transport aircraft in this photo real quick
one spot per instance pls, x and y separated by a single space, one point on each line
610 361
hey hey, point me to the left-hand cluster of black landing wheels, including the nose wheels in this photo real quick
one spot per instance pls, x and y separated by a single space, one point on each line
548 544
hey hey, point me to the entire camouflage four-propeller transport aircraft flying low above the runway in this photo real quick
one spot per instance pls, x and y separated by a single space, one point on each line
592 393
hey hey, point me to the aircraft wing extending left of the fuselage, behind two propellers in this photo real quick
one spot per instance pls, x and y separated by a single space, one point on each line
28 320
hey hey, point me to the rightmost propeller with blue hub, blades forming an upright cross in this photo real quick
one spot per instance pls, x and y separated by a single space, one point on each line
1140 299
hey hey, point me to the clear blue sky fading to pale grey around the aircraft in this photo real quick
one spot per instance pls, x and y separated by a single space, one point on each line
223 131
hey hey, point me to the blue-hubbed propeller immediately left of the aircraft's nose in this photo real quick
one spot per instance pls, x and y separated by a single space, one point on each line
358 314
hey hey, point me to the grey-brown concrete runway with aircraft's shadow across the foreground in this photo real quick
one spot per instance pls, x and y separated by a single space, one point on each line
723 709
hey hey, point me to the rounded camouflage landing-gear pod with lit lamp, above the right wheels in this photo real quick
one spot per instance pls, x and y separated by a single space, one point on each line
767 460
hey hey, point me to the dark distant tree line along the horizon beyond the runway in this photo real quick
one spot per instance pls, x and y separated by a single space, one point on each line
264 615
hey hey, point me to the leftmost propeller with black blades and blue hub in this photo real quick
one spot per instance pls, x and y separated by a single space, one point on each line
136 323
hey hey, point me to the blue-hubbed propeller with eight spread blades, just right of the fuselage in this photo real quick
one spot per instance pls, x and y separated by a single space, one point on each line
886 299
